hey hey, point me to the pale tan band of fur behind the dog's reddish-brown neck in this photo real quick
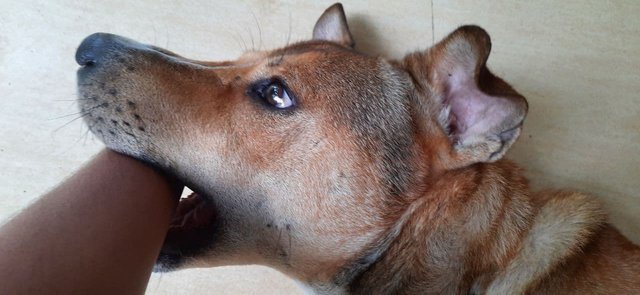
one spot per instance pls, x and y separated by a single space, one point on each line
564 224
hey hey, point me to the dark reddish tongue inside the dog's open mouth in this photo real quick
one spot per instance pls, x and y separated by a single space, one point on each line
192 212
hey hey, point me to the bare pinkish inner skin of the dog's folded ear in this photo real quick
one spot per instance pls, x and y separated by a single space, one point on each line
472 112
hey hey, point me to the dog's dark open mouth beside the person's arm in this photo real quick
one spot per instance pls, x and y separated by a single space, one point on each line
191 232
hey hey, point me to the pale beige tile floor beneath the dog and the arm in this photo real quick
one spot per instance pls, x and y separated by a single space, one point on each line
577 62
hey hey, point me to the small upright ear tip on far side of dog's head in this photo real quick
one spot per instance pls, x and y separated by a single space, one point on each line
332 26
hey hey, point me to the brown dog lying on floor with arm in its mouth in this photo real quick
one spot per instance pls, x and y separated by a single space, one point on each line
351 173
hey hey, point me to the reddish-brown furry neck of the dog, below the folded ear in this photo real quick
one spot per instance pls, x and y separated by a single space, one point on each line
468 223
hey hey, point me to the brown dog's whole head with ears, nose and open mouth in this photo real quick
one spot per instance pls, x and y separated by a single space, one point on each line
302 158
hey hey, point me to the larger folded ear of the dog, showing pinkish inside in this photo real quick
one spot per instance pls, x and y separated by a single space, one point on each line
481 114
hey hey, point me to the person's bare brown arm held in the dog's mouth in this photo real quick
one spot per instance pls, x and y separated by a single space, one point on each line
99 232
